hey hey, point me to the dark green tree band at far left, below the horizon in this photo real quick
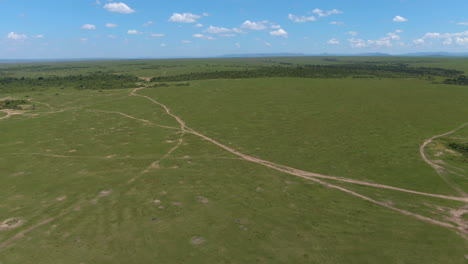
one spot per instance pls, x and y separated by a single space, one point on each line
94 81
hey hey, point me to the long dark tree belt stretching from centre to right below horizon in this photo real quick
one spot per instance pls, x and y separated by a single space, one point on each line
318 71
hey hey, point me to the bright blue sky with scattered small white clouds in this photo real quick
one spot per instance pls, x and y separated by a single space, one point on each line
186 28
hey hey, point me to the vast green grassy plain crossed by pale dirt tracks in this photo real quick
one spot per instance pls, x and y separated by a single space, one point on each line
196 174
